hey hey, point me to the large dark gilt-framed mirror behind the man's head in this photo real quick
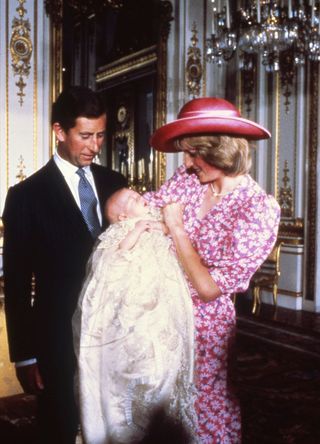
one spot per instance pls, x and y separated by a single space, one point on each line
119 48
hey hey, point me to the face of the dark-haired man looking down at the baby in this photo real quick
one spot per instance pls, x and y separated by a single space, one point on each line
80 144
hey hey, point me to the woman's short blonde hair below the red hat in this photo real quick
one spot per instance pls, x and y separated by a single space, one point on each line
229 154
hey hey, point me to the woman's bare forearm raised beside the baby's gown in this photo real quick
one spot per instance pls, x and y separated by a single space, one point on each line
190 260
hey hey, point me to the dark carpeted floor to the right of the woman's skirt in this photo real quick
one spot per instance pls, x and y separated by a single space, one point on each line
279 391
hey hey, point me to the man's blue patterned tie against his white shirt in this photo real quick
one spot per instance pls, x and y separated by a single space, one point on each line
88 203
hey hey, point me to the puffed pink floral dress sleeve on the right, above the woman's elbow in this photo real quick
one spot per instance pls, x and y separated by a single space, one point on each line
251 242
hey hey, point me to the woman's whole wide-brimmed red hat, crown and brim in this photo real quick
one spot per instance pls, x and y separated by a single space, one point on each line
206 115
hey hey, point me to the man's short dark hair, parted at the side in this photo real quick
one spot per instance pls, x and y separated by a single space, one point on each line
74 102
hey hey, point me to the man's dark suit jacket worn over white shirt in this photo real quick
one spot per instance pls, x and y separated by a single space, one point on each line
45 235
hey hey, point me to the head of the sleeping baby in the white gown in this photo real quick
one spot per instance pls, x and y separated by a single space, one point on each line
124 204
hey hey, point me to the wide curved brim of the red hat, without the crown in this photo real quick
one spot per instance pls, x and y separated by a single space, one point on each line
163 139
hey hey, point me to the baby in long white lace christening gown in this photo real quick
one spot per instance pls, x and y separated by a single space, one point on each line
133 328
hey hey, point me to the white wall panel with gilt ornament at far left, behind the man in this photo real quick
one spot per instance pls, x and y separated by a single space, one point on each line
24 123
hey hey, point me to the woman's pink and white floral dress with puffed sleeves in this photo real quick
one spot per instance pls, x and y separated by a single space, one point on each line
233 239
